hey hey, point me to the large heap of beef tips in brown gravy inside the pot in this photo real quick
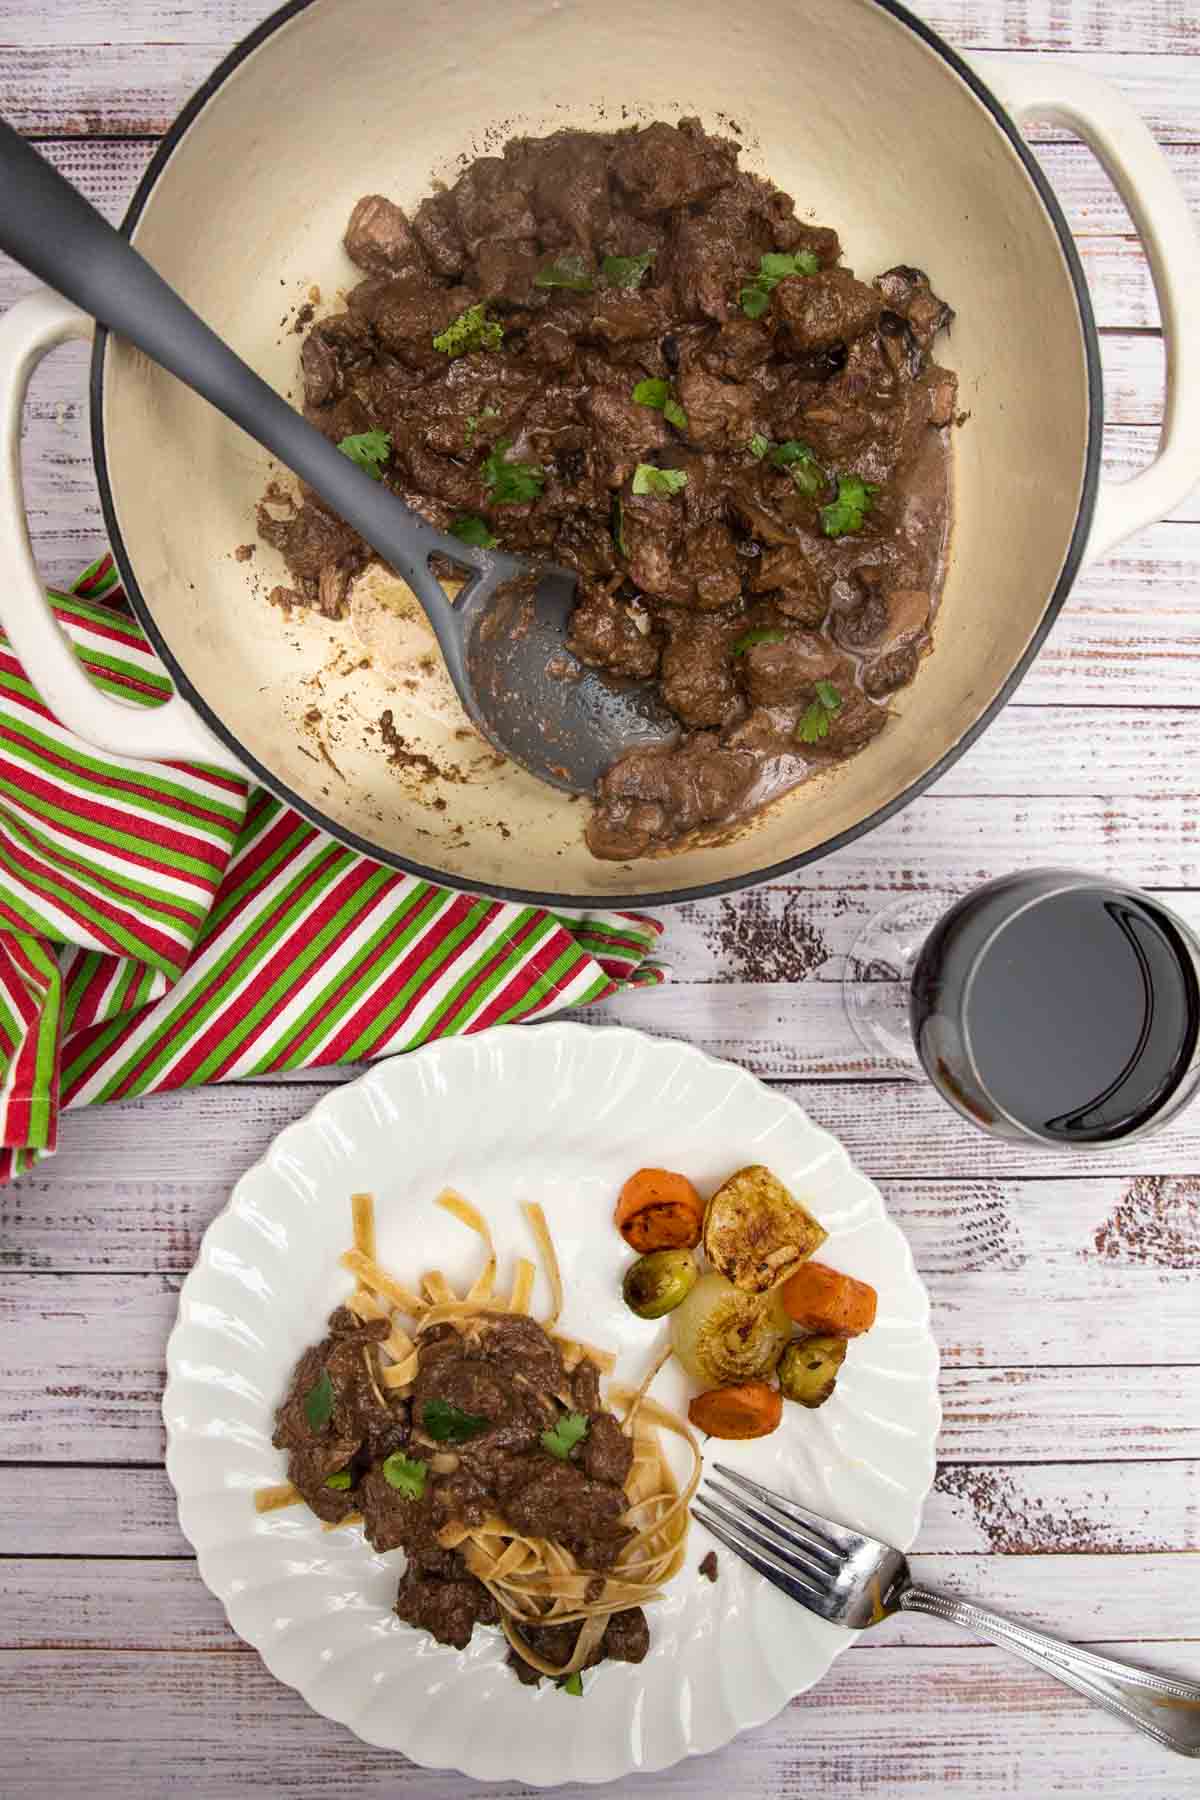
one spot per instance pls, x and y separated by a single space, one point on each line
627 354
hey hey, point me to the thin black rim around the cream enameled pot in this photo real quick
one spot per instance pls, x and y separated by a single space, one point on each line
704 890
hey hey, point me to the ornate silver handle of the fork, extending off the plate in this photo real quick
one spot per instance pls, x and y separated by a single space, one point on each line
1158 1705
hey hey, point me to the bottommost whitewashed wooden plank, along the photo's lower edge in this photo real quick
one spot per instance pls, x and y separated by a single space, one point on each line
969 1723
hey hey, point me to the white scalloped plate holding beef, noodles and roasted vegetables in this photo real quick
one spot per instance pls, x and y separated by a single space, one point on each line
562 1115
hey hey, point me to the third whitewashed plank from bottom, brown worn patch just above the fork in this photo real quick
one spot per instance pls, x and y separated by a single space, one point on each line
976 1511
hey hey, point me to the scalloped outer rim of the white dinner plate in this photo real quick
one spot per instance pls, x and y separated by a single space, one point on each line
395 1068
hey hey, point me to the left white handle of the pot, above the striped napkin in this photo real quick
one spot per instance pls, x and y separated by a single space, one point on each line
165 733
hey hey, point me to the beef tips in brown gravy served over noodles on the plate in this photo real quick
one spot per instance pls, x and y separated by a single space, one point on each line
359 1450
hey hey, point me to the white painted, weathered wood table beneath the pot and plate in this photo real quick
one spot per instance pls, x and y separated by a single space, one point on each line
1066 1291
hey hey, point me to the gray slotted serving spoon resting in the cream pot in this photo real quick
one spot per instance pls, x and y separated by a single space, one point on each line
505 647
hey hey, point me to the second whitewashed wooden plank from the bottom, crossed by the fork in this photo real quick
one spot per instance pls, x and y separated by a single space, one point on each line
130 1605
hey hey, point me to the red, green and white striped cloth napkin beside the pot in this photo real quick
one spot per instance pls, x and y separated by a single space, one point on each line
163 924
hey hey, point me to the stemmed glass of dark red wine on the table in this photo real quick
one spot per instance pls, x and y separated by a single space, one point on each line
1048 1005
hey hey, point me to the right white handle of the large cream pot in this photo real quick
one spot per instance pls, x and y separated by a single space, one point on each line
1035 87
